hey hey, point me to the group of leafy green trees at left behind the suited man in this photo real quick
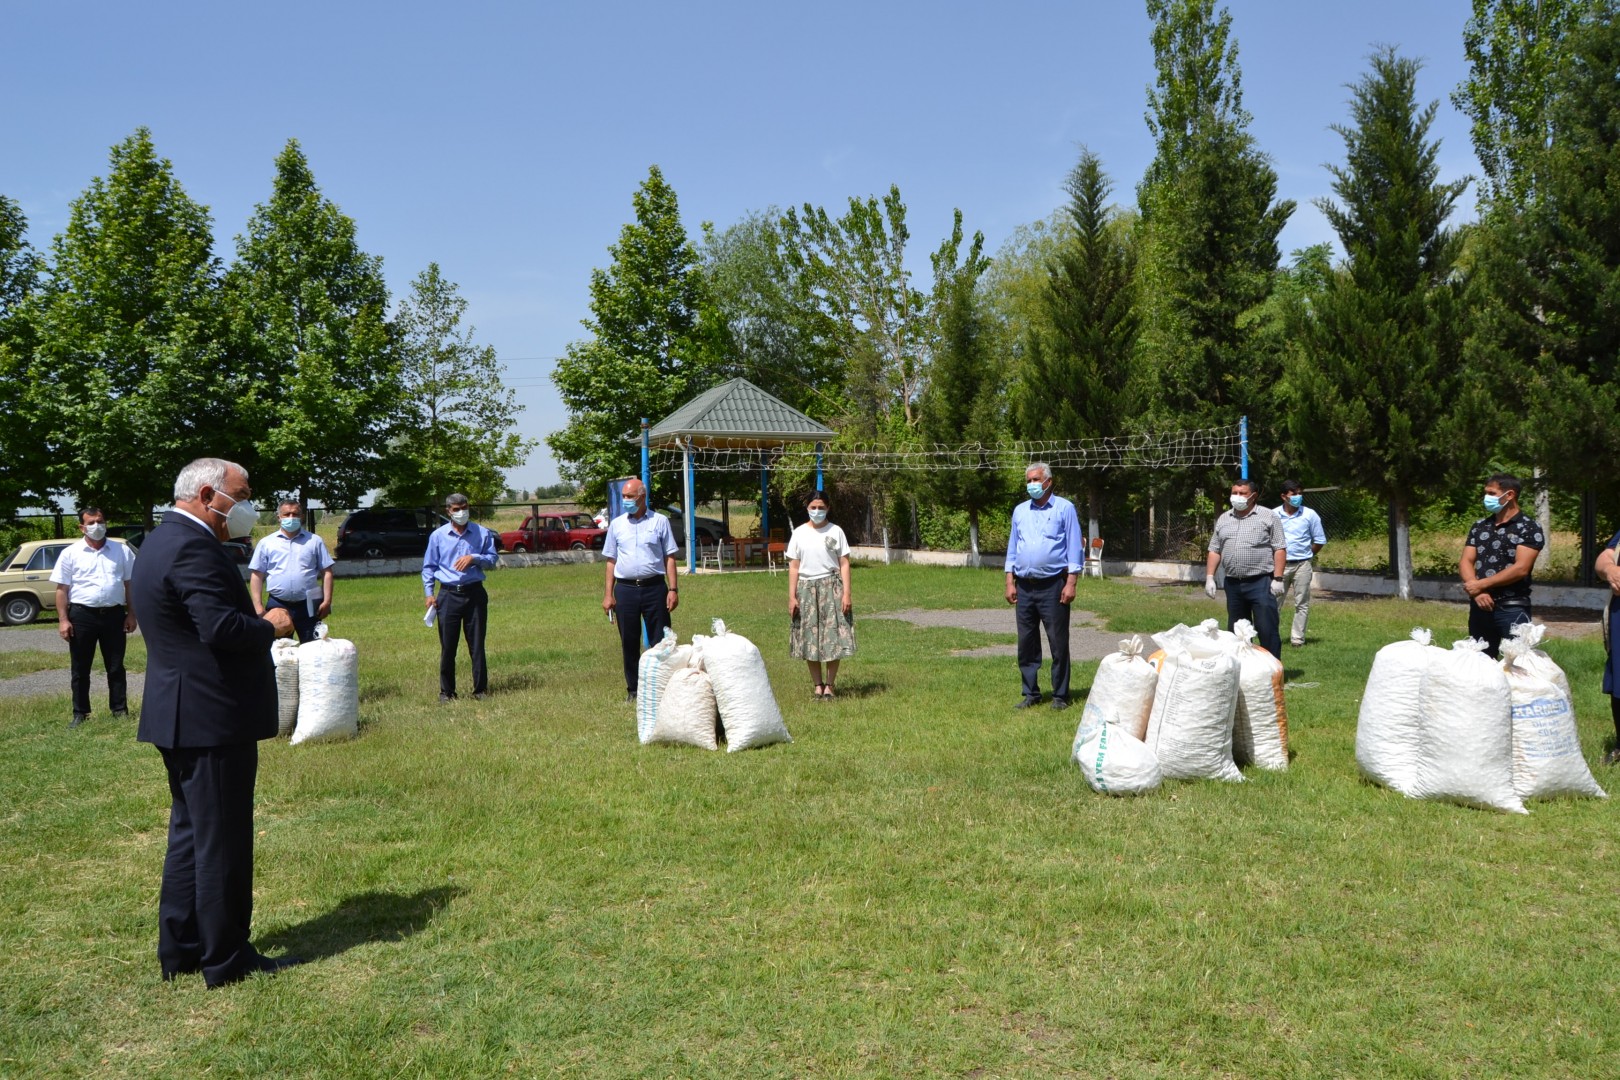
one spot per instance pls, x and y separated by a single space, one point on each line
130 347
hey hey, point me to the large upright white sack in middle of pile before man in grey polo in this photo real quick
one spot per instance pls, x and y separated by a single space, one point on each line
1195 705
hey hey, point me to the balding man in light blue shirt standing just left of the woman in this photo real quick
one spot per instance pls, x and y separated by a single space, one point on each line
641 589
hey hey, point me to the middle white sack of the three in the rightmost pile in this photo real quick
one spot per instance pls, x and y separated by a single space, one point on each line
1465 752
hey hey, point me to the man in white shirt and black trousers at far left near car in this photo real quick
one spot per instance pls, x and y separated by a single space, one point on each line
95 608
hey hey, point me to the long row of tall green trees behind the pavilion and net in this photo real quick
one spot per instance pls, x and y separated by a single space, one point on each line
1420 360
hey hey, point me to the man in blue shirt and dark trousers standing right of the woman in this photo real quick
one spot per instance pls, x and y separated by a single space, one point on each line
1046 555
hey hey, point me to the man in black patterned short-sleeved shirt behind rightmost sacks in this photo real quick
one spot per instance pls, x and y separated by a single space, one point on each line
1498 563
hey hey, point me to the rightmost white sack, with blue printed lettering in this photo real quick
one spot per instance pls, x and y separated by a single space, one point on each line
1548 757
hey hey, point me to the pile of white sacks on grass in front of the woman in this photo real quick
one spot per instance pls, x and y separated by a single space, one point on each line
707 692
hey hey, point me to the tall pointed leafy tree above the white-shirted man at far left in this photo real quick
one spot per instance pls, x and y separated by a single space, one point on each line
130 378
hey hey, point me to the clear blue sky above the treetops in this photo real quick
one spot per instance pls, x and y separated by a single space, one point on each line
505 140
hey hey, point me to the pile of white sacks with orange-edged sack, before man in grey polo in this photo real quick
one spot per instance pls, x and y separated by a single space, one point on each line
1203 705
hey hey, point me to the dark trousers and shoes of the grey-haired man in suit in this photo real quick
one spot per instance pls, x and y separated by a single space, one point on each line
208 872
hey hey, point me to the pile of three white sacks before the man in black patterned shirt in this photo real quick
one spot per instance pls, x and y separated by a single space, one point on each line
1457 726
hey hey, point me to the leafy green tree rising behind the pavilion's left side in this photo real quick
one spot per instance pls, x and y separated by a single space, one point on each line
655 344
